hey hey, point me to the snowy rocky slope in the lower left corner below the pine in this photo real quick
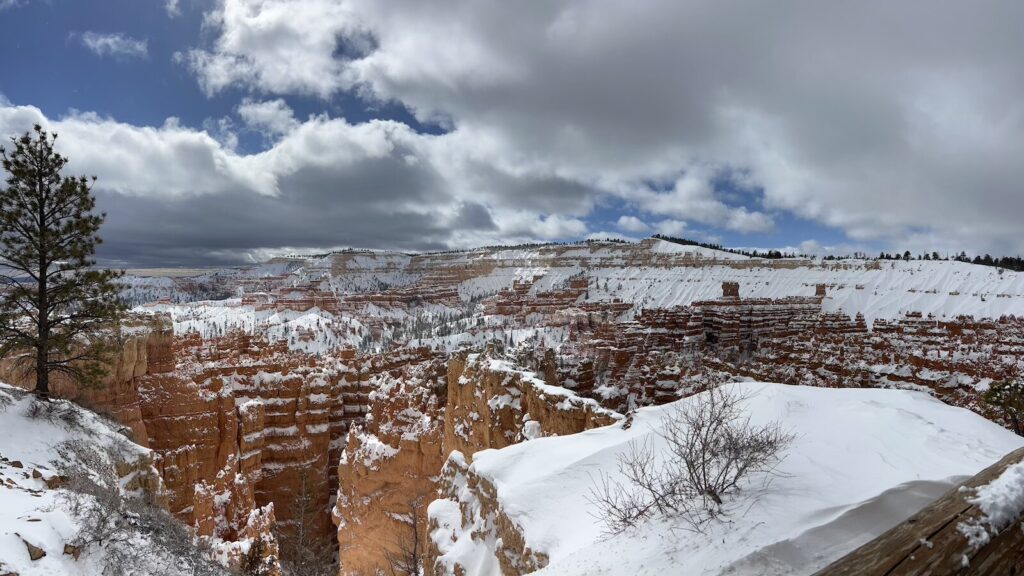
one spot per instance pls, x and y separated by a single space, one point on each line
77 498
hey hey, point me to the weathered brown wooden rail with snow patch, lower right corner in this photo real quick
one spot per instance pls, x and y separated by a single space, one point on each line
930 544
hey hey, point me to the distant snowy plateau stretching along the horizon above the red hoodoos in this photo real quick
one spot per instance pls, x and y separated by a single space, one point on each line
651 275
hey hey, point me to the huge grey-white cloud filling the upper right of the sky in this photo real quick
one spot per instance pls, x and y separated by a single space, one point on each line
875 118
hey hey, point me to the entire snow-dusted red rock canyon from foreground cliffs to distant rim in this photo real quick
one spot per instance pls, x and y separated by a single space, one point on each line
337 397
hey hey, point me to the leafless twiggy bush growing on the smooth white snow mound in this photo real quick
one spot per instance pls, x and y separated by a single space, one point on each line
710 449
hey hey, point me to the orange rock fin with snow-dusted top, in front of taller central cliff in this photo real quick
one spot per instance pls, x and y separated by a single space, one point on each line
389 469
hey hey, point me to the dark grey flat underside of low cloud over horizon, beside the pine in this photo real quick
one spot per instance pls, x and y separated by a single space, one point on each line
224 229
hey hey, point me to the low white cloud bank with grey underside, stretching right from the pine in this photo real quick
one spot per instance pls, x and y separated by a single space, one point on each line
176 195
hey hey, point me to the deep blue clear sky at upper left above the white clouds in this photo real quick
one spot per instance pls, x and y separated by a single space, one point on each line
46 64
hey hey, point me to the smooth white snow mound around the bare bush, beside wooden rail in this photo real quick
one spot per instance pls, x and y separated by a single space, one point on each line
862 462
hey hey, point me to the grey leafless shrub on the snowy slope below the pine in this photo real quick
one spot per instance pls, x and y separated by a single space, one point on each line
135 534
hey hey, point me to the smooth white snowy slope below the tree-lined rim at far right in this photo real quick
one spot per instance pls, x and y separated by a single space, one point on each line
889 291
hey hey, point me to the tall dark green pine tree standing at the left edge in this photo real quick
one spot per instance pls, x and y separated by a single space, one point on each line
55 305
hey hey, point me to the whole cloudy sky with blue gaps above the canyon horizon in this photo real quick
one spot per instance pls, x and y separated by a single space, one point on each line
228 132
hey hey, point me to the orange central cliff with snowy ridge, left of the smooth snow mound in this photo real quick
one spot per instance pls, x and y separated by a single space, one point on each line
393 465
